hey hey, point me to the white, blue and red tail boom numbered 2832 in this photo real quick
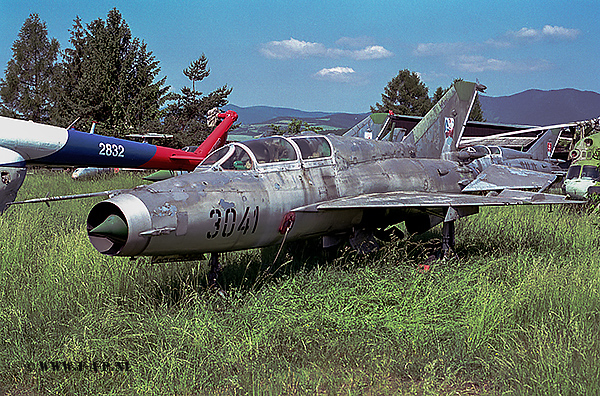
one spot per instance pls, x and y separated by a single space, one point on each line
26 142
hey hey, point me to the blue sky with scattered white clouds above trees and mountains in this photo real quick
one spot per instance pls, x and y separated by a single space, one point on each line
338 56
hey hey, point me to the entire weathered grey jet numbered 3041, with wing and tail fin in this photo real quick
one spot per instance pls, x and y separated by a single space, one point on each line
259 192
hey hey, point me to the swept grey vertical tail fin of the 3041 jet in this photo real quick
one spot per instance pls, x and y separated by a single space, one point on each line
440 130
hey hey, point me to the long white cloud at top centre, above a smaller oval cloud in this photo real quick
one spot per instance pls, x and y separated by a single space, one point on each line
292 48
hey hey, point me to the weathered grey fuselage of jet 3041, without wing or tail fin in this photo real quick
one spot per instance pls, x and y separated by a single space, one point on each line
245 195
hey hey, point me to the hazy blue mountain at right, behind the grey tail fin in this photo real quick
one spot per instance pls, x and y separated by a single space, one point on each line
536 107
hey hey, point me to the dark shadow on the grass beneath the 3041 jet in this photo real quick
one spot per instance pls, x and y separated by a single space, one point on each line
175 283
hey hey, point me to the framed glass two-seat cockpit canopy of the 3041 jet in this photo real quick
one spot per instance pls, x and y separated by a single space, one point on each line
270 153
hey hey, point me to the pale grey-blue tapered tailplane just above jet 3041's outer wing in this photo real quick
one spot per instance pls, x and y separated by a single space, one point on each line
501 177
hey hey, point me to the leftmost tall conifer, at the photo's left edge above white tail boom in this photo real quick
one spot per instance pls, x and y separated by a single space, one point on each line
26 89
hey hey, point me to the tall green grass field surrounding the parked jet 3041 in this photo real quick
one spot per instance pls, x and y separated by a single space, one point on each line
518 312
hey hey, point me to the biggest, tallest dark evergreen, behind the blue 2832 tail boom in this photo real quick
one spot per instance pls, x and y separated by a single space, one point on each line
109 76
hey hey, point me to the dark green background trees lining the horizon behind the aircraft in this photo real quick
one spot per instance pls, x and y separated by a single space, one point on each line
109 76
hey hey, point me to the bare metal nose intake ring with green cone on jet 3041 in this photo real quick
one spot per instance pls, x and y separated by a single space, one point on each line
114 226
